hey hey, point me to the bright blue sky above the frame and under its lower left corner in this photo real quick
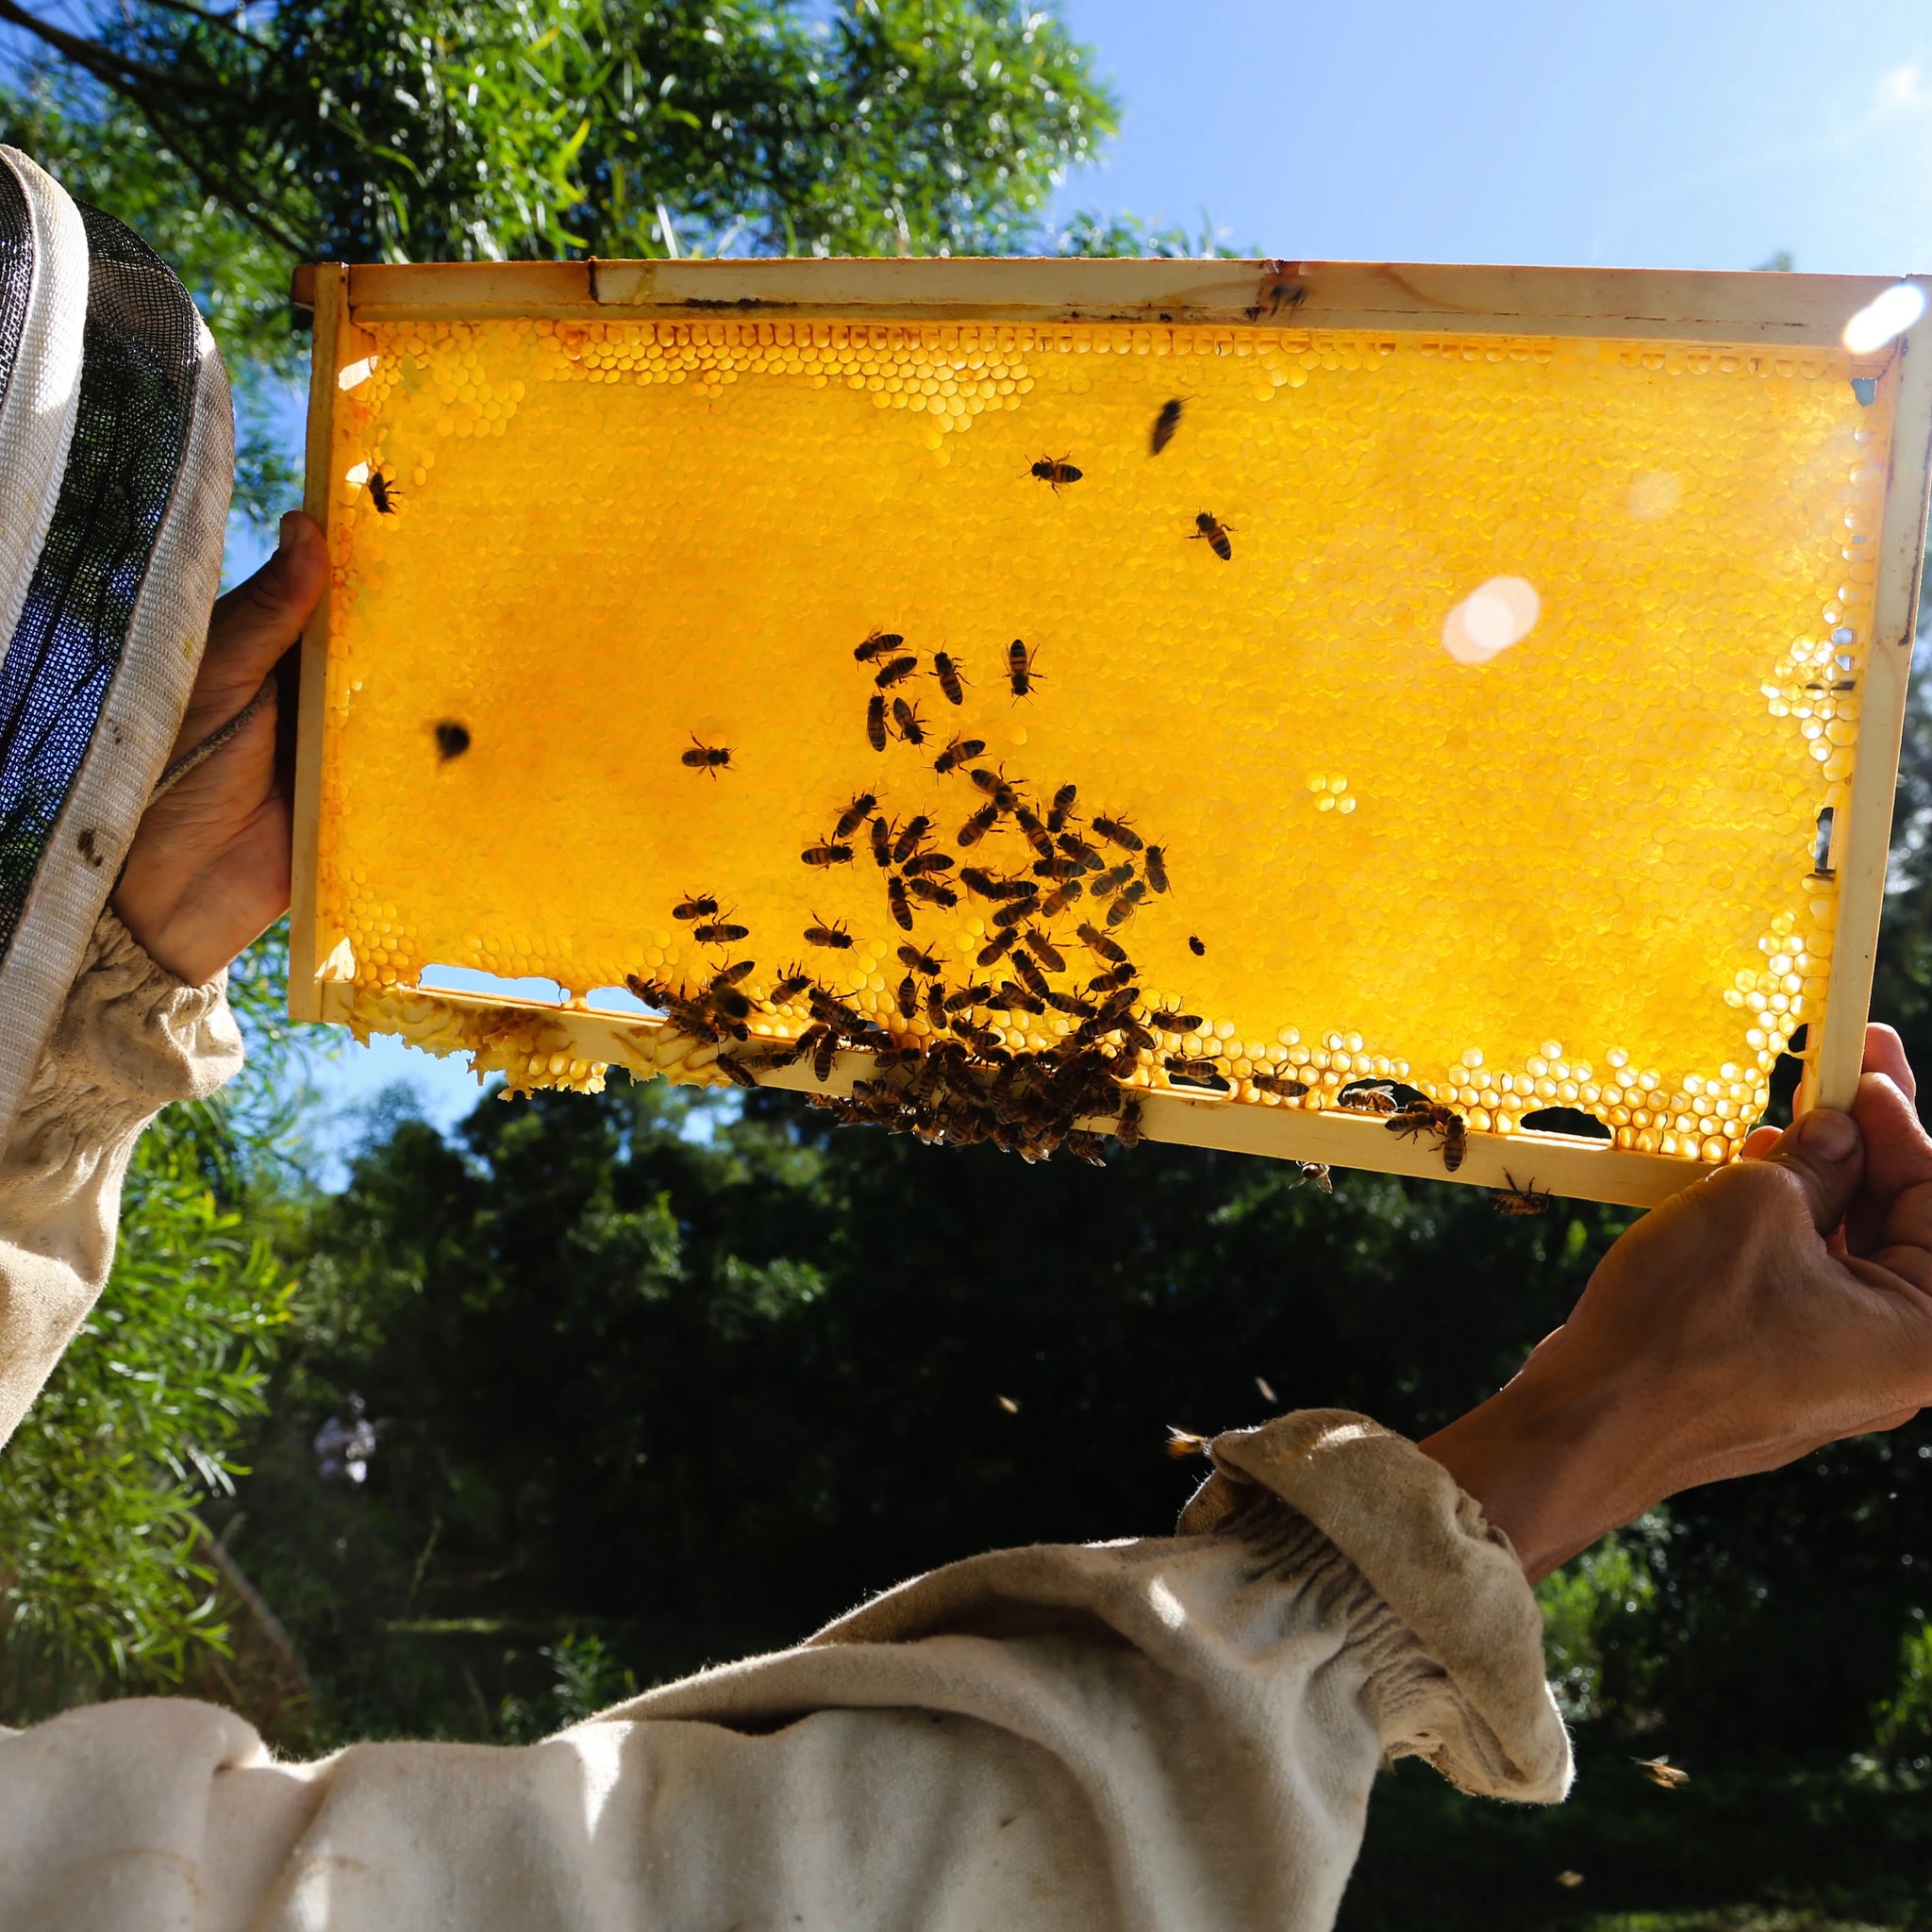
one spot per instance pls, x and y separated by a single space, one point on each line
1657 136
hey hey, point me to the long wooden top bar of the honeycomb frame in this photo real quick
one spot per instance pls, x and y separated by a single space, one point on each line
1761 306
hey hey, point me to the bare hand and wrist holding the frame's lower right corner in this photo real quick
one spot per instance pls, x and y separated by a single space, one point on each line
1776 1307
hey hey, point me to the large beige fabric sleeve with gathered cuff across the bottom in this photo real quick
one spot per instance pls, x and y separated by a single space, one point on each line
1164 1734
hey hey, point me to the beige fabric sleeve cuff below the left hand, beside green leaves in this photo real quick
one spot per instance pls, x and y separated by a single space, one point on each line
130 1040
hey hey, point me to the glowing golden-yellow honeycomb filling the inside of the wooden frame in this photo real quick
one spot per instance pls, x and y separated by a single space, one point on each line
1479 696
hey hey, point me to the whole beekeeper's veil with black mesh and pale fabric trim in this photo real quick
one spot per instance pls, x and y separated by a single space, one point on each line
117 459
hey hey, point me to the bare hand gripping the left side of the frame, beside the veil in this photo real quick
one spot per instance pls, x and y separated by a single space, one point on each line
208 870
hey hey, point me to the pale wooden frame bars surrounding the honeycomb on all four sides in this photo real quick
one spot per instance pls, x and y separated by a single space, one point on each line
1776 310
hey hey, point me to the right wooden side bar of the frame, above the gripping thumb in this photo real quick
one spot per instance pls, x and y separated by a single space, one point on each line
1863 845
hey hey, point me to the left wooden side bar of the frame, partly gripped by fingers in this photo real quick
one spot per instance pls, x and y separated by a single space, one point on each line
304 940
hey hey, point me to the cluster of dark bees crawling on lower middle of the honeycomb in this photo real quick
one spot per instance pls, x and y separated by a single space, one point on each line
959 1081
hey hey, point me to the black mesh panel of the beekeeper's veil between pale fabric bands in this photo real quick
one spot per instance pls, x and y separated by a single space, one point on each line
136 397
